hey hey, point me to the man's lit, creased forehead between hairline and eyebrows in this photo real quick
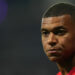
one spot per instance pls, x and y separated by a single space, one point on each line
64 20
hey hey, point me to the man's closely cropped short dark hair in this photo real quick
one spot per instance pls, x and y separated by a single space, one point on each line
60 9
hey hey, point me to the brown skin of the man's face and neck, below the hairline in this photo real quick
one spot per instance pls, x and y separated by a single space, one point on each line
58 39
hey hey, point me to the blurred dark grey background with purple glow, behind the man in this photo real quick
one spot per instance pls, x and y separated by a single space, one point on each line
21 51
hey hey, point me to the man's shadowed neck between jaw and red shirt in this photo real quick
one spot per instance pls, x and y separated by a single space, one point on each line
66 65
